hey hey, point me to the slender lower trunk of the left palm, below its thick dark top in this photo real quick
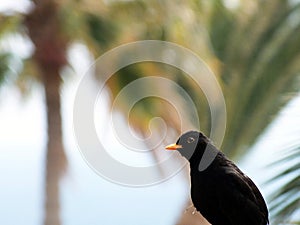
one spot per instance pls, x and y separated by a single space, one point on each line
56 159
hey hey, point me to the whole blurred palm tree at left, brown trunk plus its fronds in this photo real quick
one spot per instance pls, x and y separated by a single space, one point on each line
49 27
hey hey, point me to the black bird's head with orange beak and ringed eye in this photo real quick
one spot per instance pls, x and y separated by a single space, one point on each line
189 143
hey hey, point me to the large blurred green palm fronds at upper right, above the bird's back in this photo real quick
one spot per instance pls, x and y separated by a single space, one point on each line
260 68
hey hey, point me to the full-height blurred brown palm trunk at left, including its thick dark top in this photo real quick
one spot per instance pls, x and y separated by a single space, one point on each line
50 56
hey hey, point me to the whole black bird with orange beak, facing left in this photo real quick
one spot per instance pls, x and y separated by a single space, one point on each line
220 191
